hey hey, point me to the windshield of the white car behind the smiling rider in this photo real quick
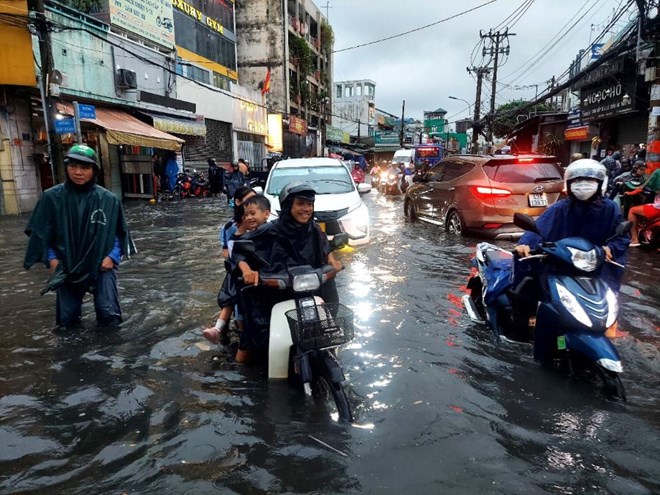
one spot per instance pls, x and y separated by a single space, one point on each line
326 180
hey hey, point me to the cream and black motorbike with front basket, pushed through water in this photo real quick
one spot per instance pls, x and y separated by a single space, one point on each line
305 331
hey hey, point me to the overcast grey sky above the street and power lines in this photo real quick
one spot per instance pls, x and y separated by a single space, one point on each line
425 67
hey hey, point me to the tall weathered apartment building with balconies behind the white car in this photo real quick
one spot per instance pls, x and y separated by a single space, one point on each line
285 50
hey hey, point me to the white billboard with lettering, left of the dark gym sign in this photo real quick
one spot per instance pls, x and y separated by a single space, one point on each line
150 19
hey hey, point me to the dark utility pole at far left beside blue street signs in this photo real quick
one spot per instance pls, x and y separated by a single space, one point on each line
43 27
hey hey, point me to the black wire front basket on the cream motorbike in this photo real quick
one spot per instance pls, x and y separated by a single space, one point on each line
321 326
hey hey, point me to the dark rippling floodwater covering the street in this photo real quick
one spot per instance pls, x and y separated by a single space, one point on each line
151 409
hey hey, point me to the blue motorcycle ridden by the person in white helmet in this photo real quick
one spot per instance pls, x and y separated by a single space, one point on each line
554 299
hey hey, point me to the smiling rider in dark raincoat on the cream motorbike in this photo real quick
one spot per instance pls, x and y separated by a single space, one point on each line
294 239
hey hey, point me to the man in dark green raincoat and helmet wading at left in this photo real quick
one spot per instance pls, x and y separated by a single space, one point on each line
78 230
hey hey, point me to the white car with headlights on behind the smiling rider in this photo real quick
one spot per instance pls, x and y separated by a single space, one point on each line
338 206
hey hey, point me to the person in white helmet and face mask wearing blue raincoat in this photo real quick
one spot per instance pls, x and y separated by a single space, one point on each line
584 213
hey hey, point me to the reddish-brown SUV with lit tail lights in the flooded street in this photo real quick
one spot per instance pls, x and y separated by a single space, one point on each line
480 193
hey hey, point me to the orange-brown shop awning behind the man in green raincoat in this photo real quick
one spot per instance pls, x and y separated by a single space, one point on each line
123 128
